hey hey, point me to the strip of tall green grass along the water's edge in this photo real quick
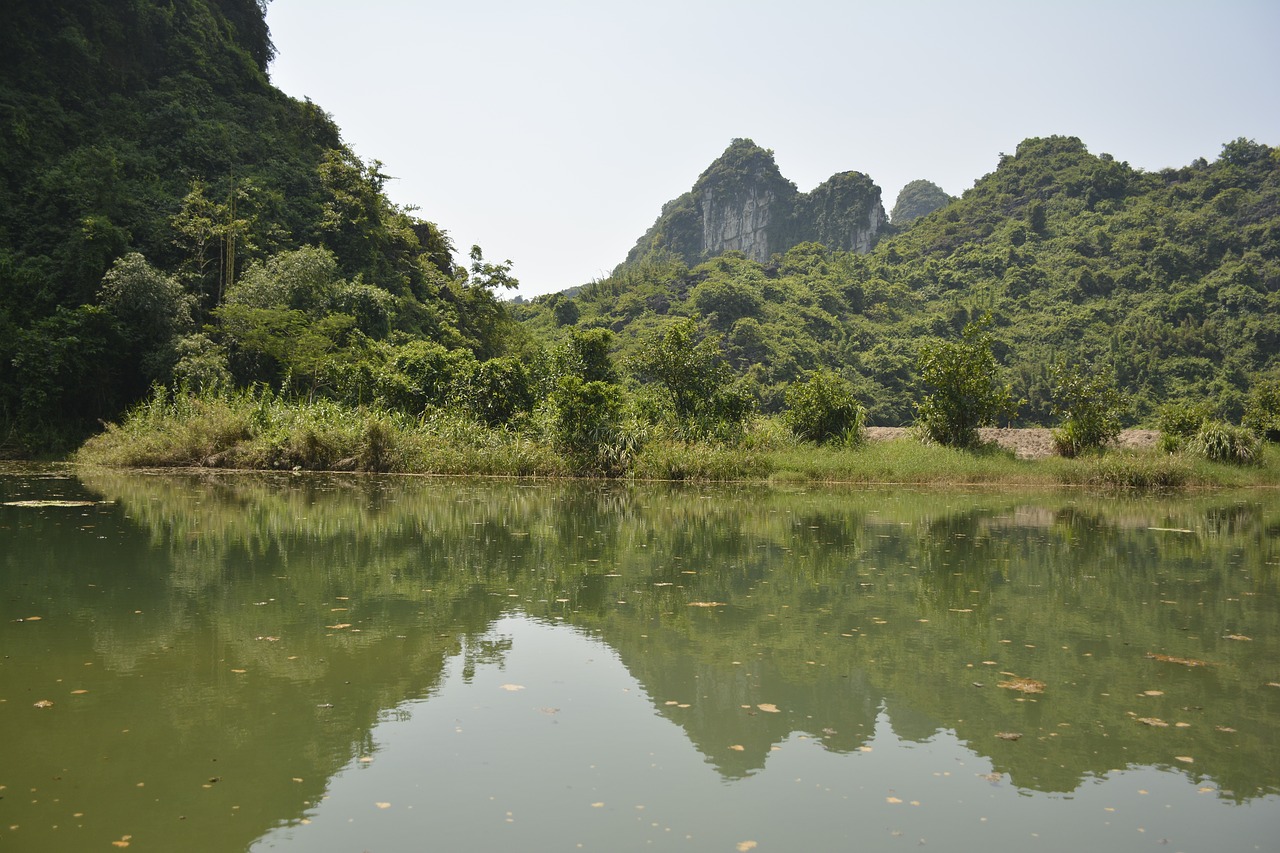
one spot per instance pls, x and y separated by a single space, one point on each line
263 431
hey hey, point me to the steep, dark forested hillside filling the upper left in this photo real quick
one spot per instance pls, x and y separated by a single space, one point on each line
168 217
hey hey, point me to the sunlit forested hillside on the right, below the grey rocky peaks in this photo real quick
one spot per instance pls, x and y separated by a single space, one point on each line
1171 280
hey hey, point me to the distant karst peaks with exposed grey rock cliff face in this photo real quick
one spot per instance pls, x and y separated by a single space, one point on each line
742 203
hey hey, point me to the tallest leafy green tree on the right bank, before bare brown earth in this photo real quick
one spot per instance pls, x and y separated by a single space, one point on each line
962 387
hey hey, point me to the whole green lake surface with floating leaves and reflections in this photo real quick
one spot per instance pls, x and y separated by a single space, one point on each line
308 663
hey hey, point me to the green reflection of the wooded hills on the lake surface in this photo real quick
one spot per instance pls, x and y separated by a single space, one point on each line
828 606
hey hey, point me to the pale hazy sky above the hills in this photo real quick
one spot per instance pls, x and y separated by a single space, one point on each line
551 133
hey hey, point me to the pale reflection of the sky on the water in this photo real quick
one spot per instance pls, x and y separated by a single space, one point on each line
578 759
